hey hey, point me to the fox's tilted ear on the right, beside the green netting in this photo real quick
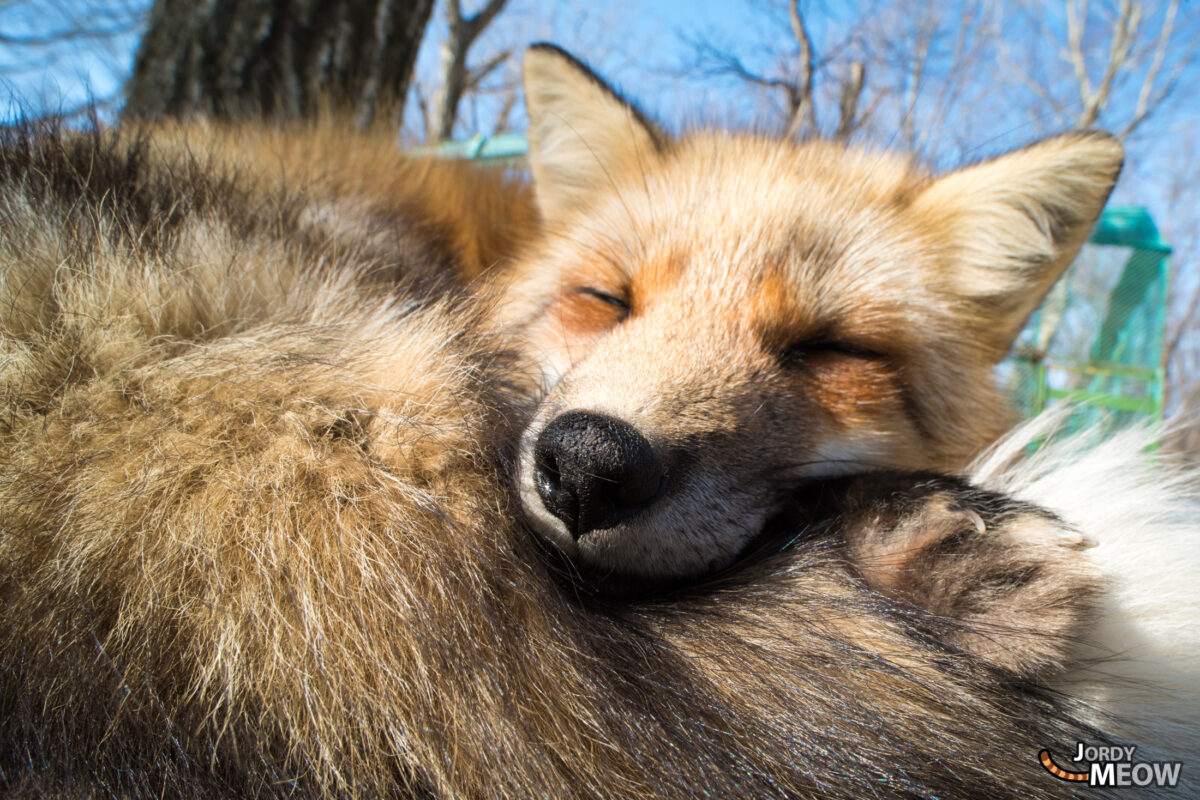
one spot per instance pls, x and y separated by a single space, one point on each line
1016 222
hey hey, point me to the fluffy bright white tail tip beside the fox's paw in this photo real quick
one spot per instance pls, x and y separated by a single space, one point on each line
1141 663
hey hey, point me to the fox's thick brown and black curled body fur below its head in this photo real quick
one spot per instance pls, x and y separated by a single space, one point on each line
255 544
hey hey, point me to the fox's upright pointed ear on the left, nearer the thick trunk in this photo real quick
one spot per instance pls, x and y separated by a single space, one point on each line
583 134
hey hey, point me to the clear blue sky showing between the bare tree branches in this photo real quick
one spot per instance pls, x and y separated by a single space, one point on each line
646 49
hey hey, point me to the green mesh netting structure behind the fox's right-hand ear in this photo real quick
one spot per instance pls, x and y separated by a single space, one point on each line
1097 340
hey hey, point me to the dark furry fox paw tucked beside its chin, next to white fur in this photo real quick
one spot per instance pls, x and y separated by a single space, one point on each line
1009 579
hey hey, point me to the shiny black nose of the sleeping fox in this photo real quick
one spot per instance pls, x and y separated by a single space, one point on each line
593 472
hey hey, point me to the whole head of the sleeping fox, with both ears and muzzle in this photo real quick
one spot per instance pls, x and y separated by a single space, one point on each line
721 318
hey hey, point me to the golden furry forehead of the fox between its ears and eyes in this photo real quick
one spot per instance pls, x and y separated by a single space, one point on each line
803 236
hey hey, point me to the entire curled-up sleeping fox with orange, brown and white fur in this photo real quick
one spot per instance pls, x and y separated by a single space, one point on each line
256 532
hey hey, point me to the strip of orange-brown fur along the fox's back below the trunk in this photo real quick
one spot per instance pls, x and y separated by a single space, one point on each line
361 191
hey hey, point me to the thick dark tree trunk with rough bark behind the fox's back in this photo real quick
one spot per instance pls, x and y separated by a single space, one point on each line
283 59
